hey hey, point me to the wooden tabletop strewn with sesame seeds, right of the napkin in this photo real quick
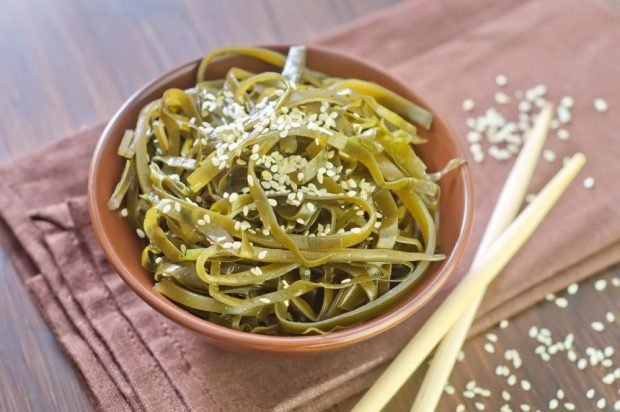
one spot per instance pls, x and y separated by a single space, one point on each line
546 378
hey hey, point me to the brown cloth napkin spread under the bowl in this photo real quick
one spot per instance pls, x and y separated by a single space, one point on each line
132 358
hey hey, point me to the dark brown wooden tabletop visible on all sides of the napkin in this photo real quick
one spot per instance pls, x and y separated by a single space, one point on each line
67 64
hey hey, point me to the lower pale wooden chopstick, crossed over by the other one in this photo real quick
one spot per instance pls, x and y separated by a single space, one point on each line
506 208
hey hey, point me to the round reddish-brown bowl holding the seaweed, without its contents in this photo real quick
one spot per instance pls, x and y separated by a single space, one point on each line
122 246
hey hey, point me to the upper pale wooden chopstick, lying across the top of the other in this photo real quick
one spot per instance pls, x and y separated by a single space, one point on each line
496 257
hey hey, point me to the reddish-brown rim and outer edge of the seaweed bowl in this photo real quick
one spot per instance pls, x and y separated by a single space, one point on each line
283 344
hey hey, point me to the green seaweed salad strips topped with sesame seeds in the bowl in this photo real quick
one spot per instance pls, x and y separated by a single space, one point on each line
284 202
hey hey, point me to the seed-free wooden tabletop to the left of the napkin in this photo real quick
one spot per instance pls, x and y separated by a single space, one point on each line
68 64
